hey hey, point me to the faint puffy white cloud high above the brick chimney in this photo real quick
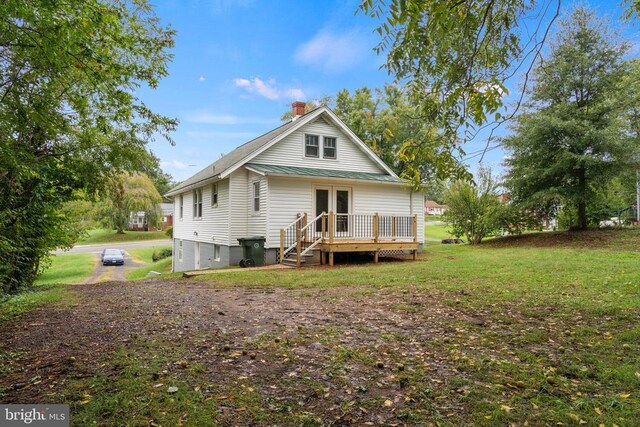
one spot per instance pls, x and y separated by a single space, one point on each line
334 52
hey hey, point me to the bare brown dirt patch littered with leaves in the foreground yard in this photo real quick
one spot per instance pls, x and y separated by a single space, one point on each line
341 356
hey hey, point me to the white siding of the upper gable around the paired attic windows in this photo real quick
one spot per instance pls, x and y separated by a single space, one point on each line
290 151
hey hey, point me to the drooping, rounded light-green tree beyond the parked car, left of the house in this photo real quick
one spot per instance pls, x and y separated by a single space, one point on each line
130 193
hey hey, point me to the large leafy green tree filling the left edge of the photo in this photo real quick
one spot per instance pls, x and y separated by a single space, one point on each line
69 114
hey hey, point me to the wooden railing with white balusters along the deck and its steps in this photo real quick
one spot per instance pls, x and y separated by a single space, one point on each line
304 235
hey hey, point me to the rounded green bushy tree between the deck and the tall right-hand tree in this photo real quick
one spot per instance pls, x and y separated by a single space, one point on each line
474 210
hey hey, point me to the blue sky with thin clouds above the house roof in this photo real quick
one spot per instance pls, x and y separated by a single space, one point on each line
238 65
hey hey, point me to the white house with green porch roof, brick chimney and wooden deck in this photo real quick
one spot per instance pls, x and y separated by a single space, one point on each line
308 186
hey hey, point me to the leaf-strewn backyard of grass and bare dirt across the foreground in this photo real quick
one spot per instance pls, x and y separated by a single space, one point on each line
539 329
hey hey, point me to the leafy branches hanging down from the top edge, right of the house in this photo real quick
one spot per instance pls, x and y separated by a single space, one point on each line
455 58
